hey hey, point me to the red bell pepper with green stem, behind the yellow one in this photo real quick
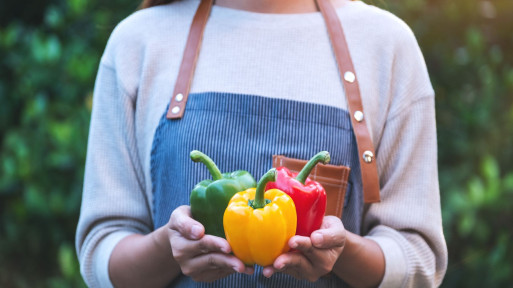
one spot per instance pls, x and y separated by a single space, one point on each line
309 196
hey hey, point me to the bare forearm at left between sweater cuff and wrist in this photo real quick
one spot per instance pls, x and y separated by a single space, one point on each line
143 261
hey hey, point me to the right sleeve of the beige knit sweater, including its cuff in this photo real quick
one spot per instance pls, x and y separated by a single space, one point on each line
407 223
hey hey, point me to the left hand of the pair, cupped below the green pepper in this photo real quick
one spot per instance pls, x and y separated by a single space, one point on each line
202 257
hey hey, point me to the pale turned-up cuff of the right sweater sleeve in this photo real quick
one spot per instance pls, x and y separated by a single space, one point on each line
395 259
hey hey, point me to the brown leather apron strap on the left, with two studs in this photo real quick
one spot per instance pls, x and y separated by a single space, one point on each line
190 56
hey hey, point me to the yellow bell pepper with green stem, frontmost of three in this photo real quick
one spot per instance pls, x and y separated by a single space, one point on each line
258 226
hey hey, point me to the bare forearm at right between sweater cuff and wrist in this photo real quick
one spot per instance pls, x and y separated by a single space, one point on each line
362 263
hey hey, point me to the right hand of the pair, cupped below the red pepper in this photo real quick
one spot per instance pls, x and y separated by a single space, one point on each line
315 256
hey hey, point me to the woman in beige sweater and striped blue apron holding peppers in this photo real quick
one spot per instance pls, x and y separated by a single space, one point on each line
266 82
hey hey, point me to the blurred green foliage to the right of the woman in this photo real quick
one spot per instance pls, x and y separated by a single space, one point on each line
468 47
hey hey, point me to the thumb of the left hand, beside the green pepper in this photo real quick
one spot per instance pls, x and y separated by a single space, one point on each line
181 220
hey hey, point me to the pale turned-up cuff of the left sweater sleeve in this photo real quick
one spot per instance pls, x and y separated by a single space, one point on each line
101 257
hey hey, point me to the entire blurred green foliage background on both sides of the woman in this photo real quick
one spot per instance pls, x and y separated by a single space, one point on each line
50 52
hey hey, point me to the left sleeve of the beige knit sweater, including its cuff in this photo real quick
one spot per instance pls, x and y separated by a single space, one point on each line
114 204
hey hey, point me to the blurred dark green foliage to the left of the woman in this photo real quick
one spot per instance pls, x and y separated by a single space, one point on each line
50 53
